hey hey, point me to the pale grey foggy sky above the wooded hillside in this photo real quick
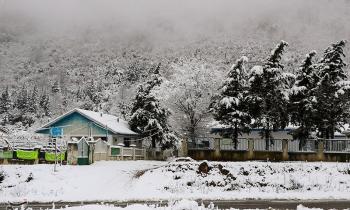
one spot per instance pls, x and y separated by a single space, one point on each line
178 21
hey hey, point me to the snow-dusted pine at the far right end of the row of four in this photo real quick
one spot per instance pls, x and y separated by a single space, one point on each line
332 92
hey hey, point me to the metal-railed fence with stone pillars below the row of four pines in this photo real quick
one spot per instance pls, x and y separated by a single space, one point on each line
276 150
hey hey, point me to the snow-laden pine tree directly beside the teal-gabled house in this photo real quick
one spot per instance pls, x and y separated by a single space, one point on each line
148 118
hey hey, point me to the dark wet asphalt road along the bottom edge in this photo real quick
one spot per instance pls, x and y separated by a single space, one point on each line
241 204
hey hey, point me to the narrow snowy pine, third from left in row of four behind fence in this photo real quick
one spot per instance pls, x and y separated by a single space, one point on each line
302 99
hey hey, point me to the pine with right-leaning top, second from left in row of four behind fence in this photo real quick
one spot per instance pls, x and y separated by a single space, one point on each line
268 98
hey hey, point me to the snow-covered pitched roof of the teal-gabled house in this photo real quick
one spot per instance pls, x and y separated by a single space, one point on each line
111 122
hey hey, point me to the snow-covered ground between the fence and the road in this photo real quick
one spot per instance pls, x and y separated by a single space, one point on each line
152 180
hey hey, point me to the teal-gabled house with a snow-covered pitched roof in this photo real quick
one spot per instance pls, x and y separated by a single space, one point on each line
79 123
